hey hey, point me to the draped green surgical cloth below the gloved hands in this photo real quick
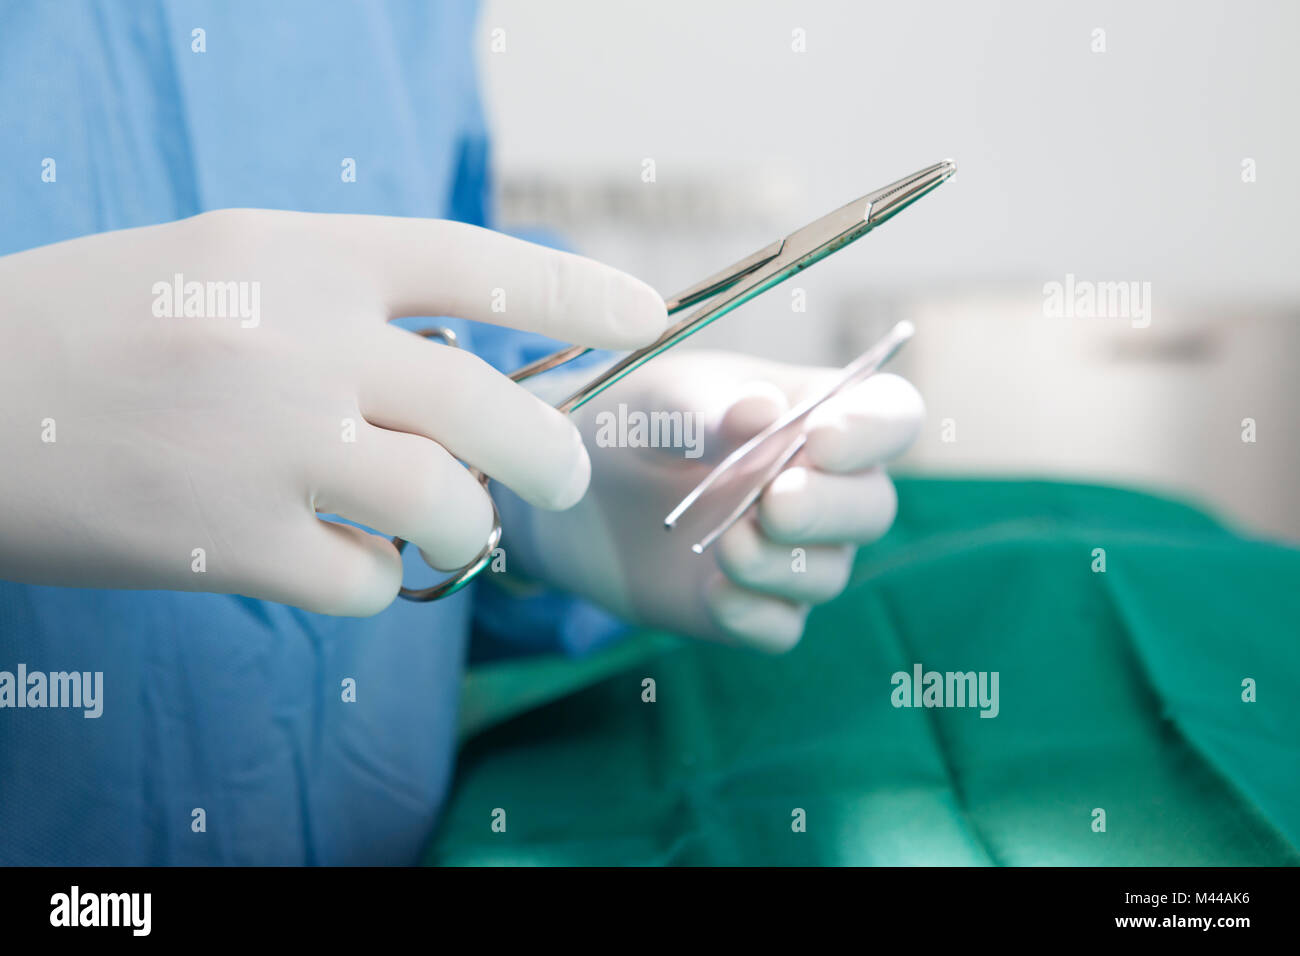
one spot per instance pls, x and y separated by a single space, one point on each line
1119 691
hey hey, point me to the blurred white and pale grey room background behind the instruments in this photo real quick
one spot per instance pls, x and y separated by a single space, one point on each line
1117 166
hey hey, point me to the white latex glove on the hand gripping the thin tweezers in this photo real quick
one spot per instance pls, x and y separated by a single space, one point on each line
747 590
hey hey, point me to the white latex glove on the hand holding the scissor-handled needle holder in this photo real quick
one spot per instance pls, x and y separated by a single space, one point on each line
133 439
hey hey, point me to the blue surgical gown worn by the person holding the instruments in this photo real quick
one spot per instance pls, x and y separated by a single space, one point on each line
218 703
